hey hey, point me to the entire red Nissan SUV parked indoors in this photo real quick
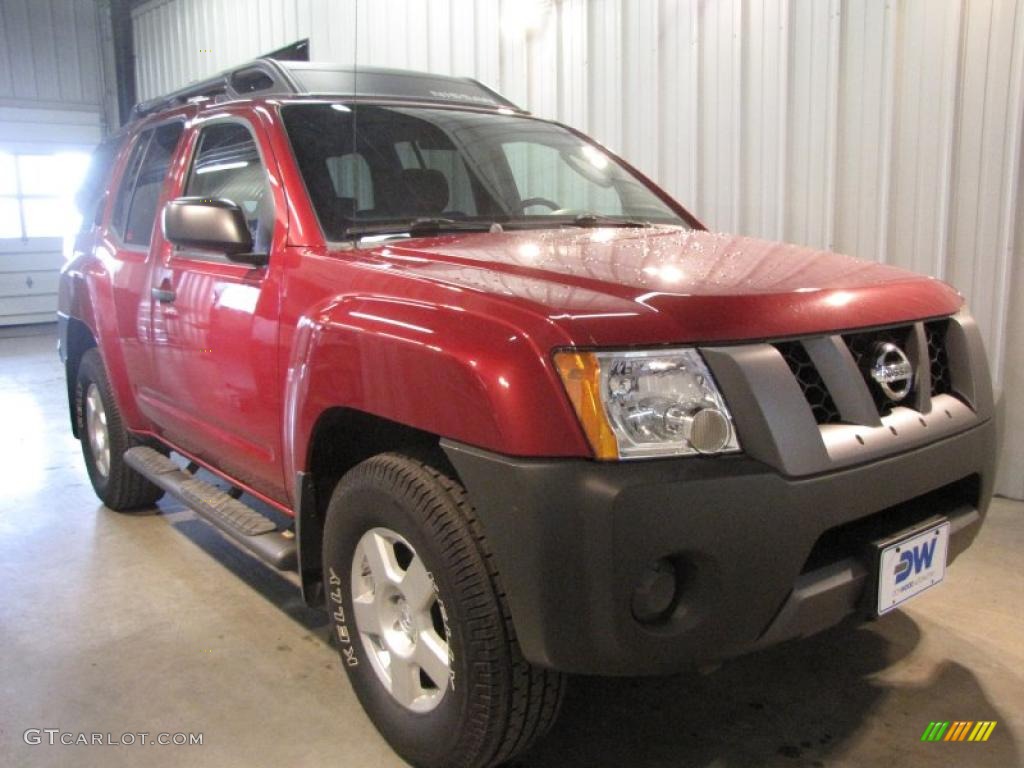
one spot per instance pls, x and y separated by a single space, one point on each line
504 405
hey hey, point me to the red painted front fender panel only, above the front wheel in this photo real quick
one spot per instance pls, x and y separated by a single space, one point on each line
468 377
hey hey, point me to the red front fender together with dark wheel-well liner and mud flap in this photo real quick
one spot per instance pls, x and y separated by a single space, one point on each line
374 374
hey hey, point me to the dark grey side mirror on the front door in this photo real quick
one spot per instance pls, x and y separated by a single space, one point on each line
210 225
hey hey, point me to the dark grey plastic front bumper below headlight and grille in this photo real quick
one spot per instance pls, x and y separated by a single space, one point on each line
763 557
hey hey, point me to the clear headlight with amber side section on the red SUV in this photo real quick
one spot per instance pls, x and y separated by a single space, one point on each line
635 405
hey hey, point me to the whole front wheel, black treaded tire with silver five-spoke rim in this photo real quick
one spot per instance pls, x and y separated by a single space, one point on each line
421 620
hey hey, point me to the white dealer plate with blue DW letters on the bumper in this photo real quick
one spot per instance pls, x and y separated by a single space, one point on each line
912 566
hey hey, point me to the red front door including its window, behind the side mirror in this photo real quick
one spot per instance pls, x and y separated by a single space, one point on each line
218 392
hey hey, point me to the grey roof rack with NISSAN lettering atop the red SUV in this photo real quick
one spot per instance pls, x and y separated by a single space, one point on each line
269 77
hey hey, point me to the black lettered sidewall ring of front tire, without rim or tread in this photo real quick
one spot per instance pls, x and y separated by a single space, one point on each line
422 739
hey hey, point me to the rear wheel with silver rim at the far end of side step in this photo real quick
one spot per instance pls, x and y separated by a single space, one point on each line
105 441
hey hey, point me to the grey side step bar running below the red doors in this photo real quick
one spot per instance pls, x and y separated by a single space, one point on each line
239 522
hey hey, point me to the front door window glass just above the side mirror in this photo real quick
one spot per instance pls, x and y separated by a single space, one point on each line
228 165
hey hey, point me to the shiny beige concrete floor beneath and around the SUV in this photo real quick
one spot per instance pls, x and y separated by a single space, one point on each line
152 623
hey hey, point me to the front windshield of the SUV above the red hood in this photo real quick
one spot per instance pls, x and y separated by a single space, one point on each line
407 169
